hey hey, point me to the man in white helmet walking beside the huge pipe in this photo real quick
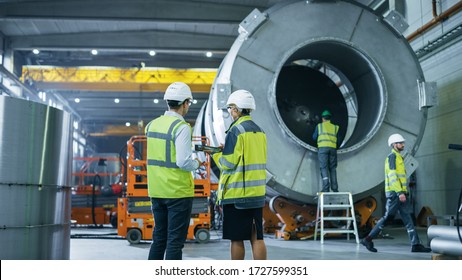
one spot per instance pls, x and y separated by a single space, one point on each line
396 194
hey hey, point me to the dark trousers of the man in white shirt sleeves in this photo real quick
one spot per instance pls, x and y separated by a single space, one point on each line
171 222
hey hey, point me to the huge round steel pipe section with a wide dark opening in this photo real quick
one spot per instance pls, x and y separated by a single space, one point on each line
301 57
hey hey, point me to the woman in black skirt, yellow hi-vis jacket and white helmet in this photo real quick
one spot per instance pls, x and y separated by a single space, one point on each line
242 184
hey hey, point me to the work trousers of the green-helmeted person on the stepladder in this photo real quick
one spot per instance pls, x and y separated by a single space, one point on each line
328 165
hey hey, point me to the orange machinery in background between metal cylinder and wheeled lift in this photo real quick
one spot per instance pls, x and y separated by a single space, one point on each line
97 184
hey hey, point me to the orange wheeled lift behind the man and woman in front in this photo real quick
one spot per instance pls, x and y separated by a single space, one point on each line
135 220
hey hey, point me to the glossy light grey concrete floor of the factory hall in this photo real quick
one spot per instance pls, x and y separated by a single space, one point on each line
104 244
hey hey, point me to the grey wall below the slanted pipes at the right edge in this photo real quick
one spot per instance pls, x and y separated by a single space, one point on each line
439 175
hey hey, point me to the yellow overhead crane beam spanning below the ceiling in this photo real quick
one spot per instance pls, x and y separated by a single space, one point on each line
117 79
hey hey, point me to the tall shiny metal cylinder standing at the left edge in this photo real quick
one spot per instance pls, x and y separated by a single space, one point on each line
35 165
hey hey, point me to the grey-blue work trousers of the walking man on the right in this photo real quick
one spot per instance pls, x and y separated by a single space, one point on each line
393 206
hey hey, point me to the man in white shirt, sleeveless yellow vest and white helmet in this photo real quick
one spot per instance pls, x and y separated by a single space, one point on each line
170 181
